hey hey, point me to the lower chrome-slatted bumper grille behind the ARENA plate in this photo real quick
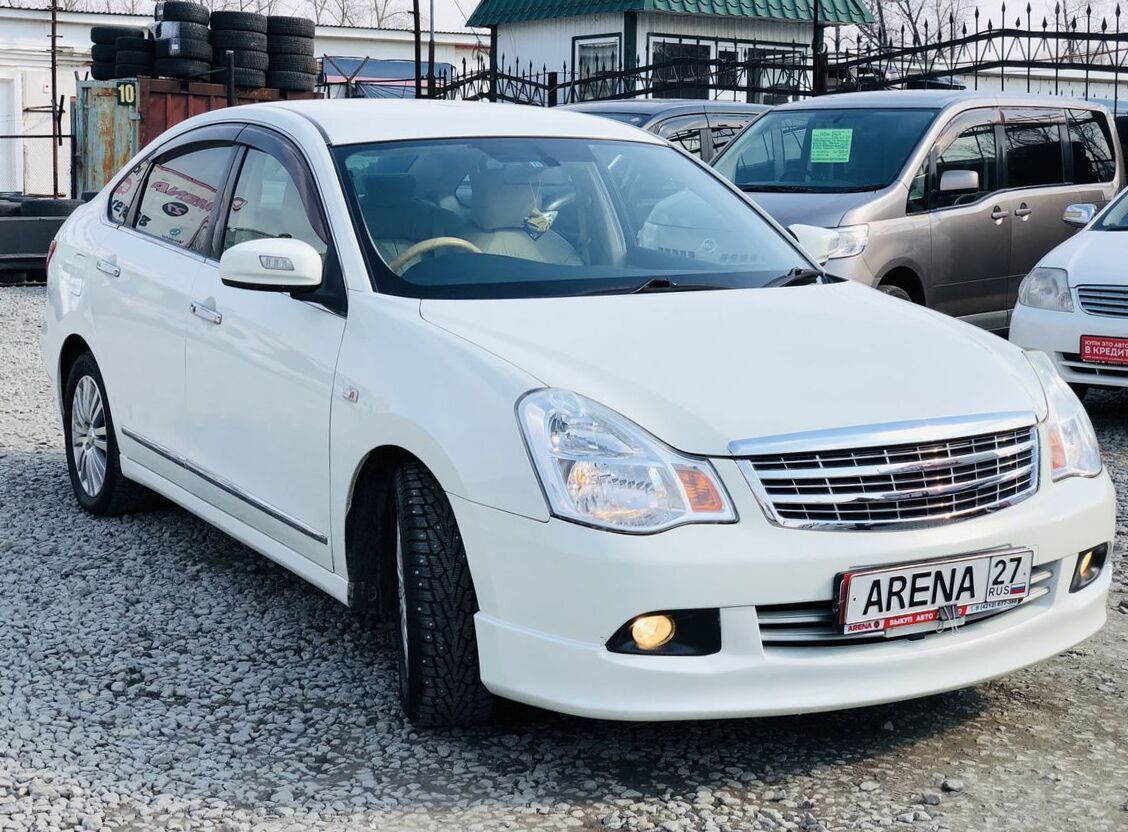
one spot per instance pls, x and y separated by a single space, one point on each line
815 625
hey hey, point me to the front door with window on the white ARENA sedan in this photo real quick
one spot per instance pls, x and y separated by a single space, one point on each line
260 366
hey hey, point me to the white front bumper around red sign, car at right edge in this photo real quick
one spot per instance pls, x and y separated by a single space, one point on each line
1059 334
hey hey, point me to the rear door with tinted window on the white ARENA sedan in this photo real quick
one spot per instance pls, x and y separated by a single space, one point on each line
149 265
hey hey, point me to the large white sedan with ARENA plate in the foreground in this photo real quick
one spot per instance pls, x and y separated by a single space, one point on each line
591 426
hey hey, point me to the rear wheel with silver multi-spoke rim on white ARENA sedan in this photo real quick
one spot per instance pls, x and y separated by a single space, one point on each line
92 447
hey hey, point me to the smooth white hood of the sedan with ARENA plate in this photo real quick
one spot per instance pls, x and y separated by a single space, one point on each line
703 369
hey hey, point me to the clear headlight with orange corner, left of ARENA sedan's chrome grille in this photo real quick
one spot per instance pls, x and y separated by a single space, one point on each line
602 470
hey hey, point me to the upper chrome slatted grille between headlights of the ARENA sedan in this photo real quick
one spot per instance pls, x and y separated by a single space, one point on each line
894 484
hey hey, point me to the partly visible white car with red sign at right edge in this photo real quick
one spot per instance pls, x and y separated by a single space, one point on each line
1074 304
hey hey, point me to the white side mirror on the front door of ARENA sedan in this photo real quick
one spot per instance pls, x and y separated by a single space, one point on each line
277 264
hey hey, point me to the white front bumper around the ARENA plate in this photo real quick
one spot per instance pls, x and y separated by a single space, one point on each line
552 594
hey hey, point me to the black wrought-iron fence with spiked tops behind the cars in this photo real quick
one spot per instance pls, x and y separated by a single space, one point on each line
1085 56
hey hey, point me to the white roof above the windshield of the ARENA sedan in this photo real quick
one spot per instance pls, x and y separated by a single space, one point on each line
354 121
